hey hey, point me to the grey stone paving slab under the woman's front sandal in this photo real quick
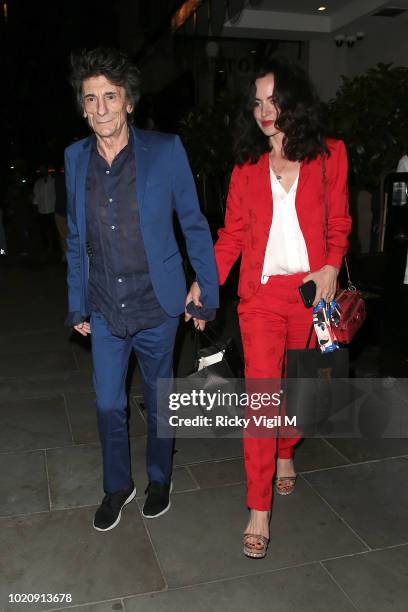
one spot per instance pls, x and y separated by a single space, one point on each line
200 539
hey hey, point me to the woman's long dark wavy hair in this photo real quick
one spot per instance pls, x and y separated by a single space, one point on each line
298 117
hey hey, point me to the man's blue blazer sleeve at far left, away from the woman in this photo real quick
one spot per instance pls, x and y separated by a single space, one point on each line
73 251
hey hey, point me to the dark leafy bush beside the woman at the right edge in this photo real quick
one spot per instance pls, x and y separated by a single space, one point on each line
370 113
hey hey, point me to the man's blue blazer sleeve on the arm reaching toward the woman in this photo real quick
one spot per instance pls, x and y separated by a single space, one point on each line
194 226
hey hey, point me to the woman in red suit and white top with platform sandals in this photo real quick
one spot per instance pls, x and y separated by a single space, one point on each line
276 219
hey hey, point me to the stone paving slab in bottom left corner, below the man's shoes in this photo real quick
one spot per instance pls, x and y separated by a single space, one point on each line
60 552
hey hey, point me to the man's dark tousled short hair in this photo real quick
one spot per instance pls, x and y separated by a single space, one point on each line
107 62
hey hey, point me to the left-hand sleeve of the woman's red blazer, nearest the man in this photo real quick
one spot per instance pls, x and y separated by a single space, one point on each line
230 237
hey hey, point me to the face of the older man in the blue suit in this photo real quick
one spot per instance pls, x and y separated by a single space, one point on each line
105 106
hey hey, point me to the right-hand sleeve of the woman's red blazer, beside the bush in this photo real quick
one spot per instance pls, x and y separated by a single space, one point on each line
338 218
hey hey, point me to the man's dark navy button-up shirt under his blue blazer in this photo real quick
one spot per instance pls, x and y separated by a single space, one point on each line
119 281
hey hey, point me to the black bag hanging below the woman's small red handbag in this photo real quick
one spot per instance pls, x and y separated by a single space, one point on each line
312 393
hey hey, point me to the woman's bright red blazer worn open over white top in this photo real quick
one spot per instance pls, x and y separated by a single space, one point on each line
250 208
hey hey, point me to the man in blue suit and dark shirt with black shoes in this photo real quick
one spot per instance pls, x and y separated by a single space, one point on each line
124 265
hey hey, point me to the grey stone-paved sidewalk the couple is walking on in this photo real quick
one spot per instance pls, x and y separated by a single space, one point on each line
339 543
